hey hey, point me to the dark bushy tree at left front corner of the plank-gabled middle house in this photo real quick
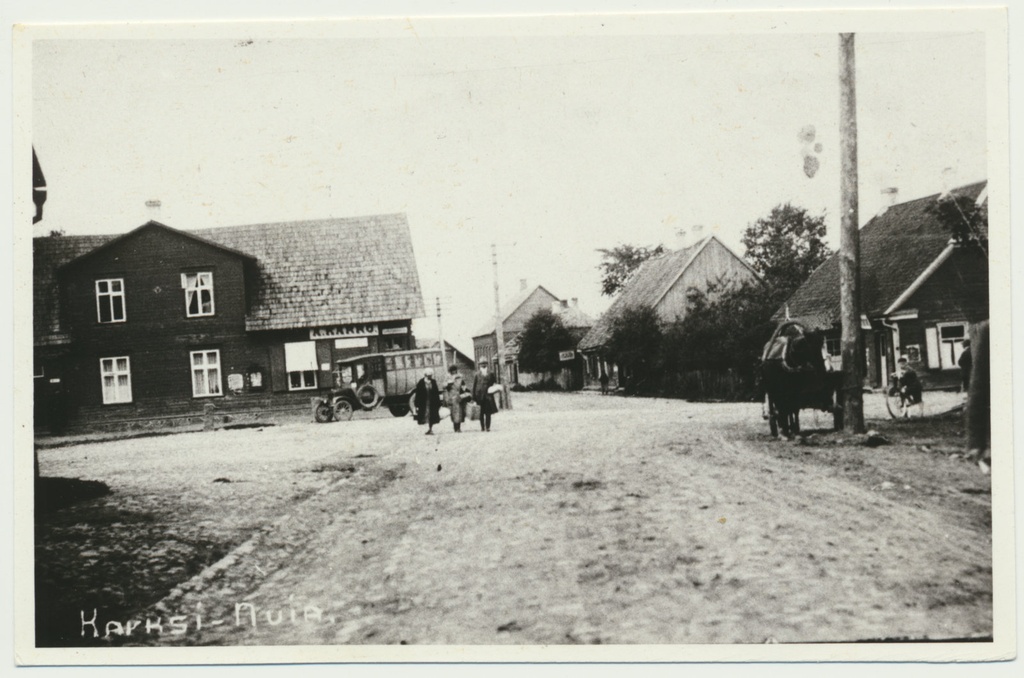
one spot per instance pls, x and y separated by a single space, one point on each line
636 346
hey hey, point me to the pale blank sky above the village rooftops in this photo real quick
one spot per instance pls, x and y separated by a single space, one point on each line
549 146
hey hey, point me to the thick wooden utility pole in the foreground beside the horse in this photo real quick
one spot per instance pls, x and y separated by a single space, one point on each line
849 249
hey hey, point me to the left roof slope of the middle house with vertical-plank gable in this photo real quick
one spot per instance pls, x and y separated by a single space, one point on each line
653 281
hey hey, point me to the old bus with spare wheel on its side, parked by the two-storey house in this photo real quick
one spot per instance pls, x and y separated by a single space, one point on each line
366 383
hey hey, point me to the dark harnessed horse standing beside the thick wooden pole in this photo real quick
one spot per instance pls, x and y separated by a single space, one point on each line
794 376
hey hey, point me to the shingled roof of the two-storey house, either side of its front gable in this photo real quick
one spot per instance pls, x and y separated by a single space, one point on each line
312 274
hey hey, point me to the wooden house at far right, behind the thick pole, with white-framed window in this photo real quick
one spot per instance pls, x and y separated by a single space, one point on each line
922 292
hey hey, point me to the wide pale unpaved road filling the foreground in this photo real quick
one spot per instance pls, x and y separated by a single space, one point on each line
578 520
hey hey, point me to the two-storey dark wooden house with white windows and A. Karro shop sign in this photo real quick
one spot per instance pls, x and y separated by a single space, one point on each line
159 323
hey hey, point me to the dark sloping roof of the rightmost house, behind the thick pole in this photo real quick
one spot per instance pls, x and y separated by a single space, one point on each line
897 247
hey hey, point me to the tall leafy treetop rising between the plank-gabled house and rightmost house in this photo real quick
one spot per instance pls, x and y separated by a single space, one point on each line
786 247
